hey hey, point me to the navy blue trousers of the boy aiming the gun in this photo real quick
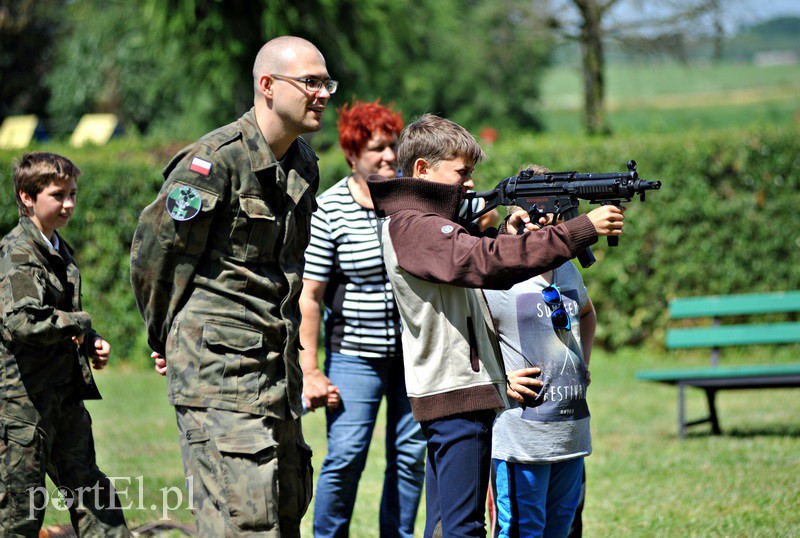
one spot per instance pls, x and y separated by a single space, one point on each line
457 473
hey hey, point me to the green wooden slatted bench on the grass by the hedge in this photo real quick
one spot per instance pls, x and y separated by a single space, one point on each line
715 377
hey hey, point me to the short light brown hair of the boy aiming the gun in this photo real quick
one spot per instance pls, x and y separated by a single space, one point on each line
436 139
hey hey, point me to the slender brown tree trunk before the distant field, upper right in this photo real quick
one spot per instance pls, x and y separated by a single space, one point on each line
591 44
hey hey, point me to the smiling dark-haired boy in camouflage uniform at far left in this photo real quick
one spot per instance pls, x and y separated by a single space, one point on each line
44 373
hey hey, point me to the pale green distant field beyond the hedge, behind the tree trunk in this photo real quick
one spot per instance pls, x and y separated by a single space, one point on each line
669 97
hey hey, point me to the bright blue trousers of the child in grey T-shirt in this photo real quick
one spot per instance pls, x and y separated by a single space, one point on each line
537 500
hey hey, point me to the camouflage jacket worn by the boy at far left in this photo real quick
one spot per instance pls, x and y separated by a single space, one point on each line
41 312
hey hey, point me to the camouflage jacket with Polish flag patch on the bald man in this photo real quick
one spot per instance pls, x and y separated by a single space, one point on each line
216 267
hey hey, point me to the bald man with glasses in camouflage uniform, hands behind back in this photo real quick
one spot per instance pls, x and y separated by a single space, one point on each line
216 267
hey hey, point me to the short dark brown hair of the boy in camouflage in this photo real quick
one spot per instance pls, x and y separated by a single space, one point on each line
35 171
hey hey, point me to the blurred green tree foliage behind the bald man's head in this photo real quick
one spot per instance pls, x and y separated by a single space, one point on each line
180 67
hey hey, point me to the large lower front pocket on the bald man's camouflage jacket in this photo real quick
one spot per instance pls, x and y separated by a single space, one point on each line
232 362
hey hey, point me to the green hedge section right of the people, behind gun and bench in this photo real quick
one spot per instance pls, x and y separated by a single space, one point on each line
725 220
